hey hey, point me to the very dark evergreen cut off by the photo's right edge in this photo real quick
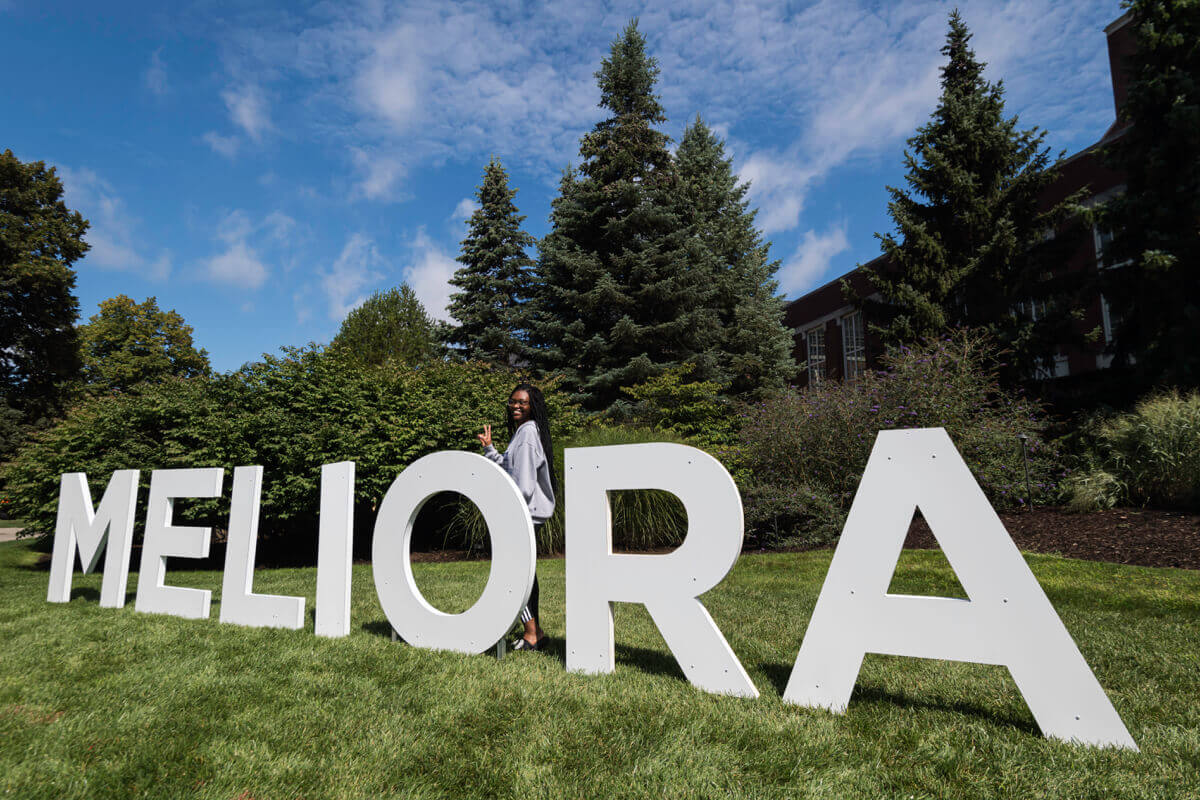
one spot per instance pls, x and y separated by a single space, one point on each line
1154 292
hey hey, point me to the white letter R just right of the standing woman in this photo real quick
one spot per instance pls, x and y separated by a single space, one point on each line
669 585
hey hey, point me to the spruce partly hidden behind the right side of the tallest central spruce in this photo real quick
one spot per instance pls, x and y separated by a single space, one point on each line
754 352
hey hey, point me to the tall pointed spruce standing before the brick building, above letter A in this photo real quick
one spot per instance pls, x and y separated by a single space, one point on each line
973 248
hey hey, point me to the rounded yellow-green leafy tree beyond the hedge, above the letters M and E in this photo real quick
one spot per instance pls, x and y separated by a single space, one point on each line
128 344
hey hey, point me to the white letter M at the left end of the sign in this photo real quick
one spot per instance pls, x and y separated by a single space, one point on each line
88 532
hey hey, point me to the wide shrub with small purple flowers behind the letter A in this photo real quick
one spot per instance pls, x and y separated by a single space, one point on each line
807 450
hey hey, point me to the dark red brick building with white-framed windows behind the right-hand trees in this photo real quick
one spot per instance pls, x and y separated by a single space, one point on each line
831 335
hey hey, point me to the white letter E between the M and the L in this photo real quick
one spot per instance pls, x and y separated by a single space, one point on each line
163 540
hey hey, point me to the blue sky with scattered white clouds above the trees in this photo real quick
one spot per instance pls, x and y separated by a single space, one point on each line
263 167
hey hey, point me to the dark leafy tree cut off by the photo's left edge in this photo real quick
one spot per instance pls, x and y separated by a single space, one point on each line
40 239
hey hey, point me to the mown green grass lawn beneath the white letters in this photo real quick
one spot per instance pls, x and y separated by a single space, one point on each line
104 703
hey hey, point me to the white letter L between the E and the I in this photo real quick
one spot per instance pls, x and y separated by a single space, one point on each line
239 604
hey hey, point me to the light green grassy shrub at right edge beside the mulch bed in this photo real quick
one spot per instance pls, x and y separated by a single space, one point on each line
1150 456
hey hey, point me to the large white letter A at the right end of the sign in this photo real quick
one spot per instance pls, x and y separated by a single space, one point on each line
1007 622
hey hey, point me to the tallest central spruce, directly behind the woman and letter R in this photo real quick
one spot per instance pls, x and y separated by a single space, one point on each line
623 291
